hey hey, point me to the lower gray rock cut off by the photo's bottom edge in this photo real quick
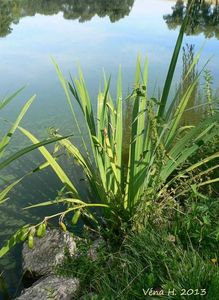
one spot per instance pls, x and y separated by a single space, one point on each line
52 288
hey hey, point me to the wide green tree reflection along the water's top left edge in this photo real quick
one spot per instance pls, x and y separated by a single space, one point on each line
84 10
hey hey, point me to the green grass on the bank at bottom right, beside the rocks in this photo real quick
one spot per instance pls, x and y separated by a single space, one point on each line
150 259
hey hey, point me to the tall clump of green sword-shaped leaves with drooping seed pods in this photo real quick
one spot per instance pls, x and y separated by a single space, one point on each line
159 149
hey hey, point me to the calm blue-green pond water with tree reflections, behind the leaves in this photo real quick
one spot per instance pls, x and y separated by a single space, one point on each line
94 34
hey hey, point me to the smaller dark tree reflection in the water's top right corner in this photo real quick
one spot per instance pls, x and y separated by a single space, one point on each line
204 19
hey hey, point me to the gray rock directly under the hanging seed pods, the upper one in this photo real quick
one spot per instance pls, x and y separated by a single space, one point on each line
48 252
